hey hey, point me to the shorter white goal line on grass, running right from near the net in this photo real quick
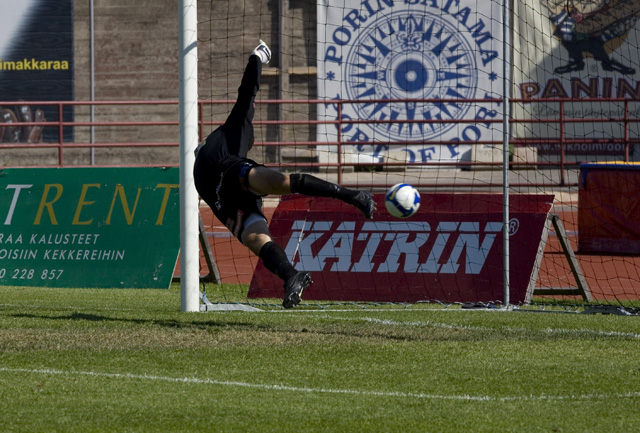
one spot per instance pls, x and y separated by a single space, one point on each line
548 331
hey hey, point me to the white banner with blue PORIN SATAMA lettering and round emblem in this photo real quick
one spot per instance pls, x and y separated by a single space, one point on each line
413 68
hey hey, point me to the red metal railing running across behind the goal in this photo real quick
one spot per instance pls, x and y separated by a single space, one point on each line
56 141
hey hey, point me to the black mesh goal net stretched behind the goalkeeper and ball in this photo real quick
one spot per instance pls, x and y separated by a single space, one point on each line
463 100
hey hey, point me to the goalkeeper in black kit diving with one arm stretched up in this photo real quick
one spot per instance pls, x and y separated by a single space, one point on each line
233 185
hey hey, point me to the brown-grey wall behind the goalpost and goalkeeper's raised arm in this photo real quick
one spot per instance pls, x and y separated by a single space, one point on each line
136 59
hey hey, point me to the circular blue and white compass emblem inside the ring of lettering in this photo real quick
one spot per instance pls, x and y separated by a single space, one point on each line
407 55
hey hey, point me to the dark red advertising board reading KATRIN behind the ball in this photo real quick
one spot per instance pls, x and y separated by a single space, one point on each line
451 250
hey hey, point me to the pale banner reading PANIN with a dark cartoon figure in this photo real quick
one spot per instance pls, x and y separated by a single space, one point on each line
573 51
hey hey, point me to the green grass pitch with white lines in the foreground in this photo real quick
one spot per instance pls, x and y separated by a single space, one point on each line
76 360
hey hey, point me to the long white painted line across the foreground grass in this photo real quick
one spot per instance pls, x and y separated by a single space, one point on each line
267 387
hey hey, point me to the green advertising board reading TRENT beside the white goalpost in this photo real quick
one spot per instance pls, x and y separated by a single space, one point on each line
89 227
